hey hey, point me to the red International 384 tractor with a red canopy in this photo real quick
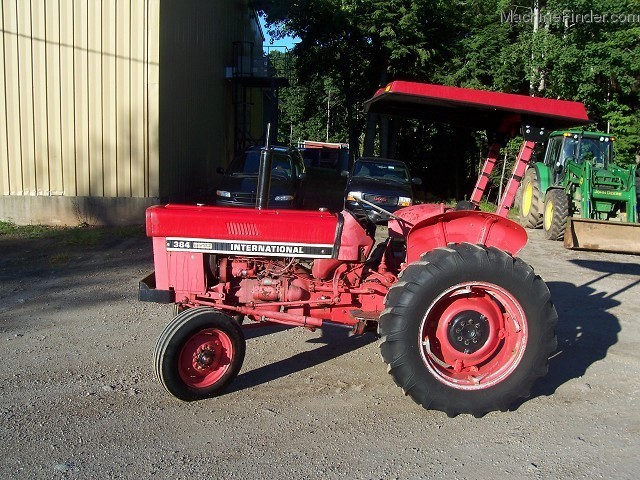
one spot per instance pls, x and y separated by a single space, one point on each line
465 326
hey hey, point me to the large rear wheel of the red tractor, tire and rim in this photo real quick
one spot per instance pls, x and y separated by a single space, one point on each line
467 329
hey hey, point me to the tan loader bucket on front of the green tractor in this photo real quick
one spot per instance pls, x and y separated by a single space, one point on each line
601 235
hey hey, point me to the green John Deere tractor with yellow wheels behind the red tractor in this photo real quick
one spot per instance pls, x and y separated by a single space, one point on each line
576 181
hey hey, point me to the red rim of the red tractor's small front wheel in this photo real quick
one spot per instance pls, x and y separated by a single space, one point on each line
205 358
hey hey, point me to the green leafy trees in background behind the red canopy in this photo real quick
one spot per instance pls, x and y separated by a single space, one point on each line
352 47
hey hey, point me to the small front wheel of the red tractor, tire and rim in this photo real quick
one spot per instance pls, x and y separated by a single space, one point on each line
199 352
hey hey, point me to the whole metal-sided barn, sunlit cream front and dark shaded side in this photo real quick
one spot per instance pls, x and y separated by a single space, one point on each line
108 106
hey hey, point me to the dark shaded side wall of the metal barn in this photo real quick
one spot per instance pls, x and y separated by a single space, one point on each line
196 105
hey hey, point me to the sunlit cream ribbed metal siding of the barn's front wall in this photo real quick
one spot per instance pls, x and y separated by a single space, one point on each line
79 98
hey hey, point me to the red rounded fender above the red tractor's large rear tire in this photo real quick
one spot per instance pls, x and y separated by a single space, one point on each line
464 226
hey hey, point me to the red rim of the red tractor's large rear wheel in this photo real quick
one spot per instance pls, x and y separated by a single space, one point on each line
473 336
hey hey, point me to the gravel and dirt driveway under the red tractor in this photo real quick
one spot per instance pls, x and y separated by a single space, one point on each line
78 398
